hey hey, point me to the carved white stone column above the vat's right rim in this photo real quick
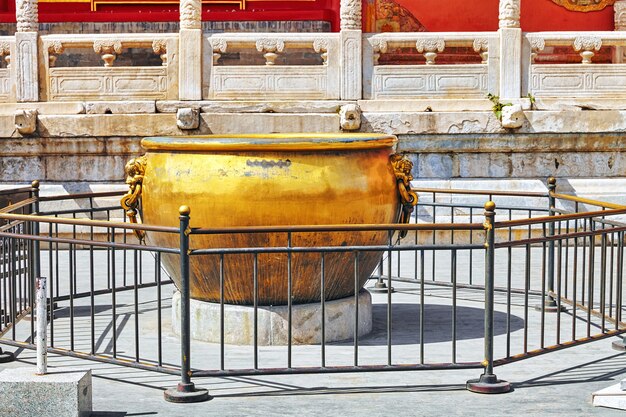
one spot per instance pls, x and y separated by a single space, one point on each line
351 50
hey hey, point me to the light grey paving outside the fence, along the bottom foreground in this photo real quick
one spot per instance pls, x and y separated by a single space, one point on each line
558 384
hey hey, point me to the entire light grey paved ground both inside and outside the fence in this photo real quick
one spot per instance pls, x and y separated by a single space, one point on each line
559 383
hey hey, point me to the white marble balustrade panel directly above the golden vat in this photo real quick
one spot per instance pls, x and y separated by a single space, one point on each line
272 80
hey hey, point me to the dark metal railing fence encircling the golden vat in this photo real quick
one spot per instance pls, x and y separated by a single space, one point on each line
479 285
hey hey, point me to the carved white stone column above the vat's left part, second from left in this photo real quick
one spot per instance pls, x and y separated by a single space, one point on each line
190 50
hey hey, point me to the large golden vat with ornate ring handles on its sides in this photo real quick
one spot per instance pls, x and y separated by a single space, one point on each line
272 180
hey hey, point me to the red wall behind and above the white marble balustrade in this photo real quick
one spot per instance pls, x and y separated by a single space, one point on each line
435 15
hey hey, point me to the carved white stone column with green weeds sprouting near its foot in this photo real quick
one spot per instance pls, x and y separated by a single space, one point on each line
510 49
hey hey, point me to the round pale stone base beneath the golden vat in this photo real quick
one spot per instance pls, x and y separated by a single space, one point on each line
273 323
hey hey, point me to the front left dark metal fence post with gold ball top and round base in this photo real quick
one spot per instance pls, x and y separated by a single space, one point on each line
185 391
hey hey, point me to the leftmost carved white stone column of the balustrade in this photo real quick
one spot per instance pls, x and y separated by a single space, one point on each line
25 60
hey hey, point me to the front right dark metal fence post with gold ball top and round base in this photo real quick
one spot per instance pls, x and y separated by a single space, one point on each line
488 383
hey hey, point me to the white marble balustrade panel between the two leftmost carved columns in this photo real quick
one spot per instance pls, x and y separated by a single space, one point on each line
109 82
